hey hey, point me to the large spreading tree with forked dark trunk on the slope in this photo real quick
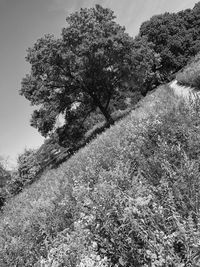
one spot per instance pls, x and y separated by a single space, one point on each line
79 72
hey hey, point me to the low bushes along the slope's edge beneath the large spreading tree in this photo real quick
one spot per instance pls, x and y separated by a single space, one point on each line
33 162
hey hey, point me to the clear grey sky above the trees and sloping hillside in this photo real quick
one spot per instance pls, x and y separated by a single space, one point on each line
22 22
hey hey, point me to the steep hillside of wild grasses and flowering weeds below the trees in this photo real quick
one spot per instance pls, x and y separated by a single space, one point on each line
129 198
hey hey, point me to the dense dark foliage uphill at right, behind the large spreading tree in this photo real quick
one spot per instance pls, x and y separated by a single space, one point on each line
175 36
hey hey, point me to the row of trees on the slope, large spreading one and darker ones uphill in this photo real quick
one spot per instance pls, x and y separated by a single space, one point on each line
95 63
